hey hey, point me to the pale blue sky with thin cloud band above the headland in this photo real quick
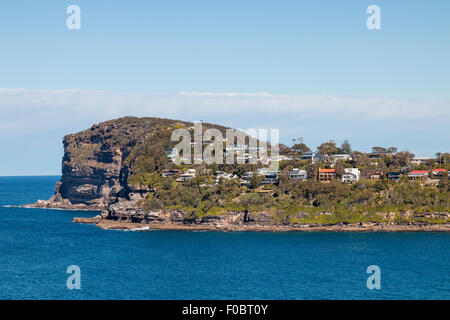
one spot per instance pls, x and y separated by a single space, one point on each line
315 59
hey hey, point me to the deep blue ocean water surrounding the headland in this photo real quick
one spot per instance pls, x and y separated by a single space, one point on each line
37 245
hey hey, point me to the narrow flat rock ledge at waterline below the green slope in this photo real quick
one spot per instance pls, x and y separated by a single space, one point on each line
107 224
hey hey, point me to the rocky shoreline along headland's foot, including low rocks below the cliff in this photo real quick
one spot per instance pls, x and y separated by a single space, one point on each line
127 215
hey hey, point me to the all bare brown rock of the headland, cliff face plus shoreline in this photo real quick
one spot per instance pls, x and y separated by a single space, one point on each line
96 173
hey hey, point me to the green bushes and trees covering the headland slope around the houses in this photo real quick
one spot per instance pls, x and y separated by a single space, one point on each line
144 142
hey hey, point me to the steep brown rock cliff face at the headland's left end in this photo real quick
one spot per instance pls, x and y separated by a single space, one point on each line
94 173
